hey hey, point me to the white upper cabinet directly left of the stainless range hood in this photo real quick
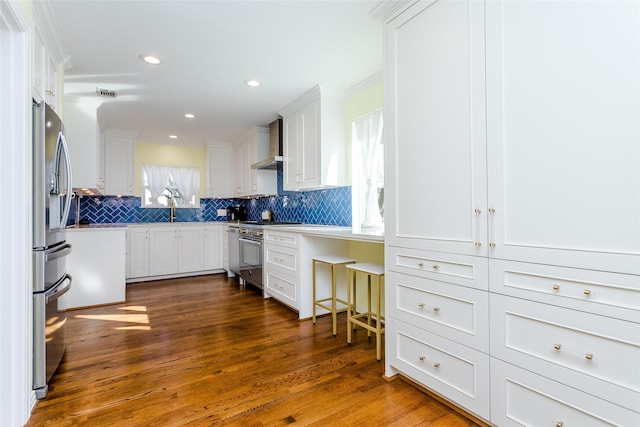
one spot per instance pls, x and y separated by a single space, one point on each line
249 149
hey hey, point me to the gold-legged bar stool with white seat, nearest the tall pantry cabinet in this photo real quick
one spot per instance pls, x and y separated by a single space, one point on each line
365 319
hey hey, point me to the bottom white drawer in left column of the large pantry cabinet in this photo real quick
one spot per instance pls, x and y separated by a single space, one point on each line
455 371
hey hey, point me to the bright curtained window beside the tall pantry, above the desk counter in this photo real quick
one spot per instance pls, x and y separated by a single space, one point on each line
368 171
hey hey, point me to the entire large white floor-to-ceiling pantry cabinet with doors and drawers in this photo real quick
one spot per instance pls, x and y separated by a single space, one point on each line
505 147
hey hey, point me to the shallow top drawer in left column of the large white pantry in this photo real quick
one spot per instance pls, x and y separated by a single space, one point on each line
458 269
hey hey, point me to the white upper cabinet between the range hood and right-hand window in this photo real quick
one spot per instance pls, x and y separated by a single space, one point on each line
314 141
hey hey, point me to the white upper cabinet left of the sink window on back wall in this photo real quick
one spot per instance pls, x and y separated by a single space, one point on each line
118 164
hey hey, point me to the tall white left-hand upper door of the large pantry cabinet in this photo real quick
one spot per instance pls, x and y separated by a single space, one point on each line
435 121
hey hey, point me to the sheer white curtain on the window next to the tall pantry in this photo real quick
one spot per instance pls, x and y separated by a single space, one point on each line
367 134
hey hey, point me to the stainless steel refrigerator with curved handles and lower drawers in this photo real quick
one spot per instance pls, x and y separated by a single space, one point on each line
51 203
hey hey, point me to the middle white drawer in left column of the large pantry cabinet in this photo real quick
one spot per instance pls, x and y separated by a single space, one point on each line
454 312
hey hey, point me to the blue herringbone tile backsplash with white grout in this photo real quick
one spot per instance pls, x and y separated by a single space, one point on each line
329 207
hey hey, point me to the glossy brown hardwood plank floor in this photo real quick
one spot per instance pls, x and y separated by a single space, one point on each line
204 351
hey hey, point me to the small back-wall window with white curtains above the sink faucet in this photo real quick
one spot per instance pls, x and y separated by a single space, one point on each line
167 185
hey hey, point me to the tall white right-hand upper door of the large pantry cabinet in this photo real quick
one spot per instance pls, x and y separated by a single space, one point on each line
563 127
